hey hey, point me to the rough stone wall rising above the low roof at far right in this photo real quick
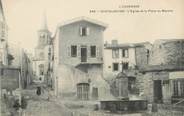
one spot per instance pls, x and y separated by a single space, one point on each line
167 52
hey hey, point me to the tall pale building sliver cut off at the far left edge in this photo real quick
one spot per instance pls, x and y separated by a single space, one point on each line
3 38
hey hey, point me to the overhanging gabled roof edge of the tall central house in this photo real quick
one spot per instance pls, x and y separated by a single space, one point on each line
83 19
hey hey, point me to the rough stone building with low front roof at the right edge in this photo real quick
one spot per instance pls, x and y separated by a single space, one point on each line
162 80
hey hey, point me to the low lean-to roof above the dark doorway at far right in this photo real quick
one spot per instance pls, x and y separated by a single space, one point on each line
157 68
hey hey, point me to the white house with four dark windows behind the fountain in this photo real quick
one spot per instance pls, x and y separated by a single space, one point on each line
126 58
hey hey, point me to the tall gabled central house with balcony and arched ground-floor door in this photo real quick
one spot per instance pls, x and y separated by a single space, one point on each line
78 47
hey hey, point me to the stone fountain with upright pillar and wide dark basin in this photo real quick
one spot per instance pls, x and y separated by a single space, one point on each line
122 102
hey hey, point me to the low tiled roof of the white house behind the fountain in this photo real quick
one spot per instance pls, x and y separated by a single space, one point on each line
126 45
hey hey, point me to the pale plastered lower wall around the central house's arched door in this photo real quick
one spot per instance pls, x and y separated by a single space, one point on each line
69 77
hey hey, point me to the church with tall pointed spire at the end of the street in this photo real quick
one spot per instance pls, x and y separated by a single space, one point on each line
42 62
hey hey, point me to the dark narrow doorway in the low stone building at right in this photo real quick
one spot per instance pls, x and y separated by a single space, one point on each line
158 91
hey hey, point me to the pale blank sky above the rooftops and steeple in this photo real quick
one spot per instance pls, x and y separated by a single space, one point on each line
24 18
